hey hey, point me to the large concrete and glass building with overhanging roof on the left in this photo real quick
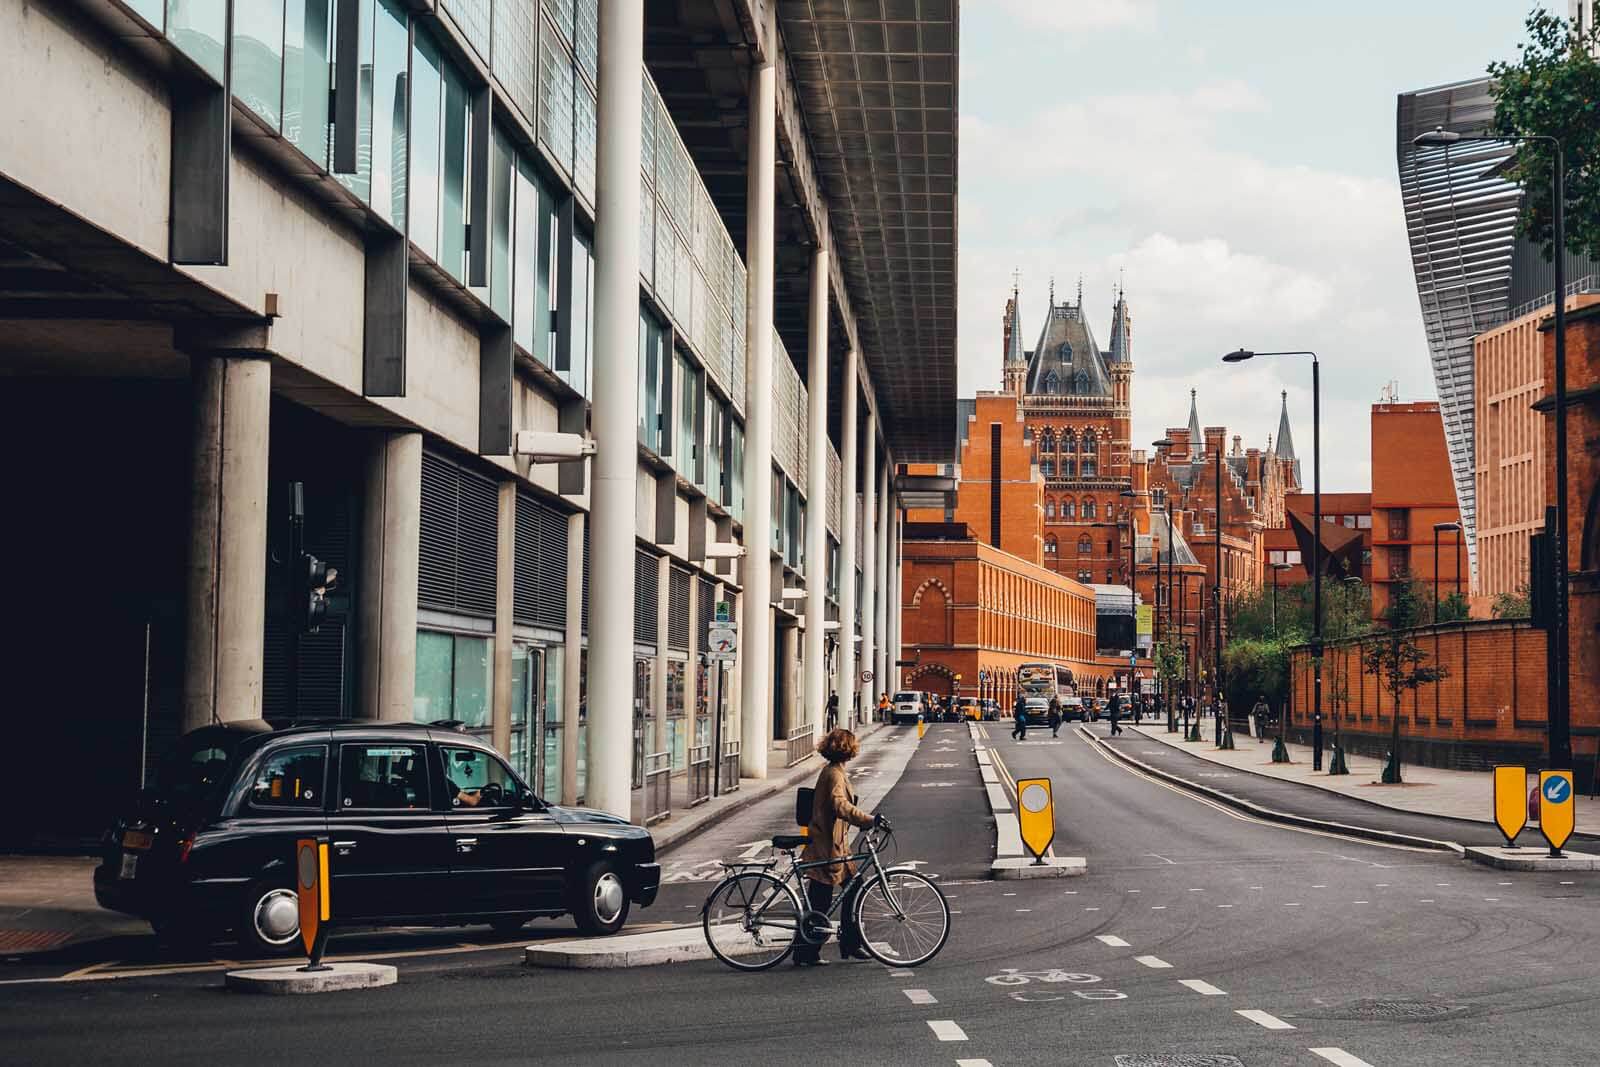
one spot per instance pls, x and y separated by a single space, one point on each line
398 270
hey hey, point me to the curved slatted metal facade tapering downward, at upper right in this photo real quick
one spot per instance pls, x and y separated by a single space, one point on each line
1462 223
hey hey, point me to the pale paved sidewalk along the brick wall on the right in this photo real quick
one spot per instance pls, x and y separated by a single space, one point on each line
1426 789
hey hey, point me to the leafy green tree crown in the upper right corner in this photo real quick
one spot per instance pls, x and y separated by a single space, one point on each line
1554 90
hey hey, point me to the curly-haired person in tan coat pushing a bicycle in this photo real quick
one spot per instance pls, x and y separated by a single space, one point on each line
833 813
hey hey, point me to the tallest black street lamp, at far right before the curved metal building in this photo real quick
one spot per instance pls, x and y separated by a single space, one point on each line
1561 743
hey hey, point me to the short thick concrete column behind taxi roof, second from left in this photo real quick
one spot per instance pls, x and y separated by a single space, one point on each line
386 596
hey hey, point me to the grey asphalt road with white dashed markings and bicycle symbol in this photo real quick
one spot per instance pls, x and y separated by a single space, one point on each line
1188 917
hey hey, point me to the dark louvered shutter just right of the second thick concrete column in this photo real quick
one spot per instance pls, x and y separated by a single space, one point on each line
458 540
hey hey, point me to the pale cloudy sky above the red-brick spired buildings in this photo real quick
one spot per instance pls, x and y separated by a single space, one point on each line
1234 164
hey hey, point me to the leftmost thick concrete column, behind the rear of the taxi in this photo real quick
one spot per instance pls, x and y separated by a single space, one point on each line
228 540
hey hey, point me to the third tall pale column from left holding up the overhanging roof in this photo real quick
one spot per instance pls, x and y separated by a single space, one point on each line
817 494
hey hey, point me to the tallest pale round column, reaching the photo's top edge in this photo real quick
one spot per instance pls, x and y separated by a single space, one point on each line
615 410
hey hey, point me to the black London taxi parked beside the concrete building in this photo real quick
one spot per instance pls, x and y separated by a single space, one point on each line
426 826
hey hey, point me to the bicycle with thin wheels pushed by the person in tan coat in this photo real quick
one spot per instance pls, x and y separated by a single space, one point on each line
754 917
